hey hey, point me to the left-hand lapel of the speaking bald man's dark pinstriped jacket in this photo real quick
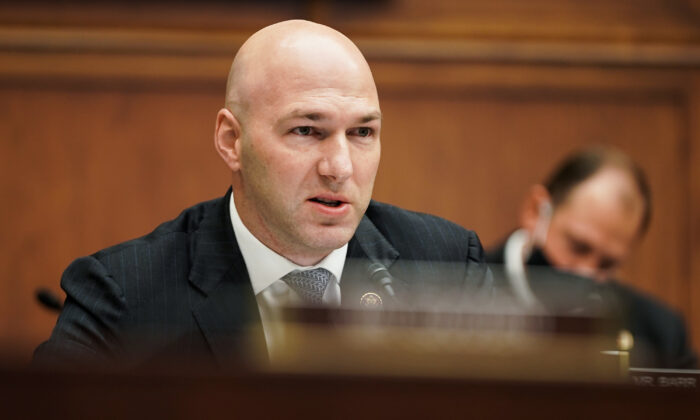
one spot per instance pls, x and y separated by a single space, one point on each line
228 313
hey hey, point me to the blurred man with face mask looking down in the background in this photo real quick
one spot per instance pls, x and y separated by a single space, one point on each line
584 221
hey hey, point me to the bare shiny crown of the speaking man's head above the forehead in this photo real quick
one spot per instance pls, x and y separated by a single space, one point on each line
293 54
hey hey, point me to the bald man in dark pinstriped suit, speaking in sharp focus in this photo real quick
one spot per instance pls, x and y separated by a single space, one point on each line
300 133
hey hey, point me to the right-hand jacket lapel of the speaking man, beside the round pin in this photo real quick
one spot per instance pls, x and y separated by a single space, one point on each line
367 246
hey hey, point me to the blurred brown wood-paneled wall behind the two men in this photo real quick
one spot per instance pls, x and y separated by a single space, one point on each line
107 114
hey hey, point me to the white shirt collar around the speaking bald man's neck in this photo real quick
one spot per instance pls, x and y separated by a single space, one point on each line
265 266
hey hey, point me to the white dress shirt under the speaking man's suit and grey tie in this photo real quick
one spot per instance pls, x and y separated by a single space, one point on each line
266 268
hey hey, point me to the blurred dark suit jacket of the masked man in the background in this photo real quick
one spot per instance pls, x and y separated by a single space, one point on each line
659 332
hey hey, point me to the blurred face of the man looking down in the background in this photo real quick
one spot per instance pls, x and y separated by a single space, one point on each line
592 232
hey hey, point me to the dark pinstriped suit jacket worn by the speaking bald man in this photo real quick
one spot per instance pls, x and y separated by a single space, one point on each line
183 292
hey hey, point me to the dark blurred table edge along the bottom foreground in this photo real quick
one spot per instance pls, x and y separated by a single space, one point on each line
27 394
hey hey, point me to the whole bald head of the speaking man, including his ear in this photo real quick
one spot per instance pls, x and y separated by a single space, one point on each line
301 135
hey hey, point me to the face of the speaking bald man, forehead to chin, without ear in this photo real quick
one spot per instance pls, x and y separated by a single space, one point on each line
309 156
